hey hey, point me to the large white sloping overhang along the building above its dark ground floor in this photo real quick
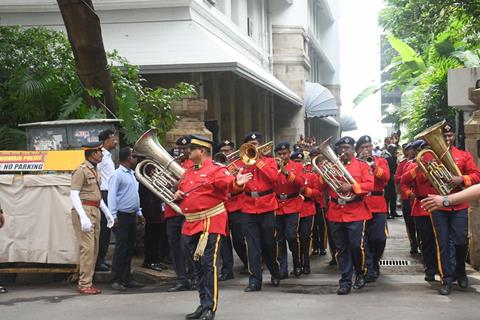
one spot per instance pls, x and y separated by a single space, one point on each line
171 44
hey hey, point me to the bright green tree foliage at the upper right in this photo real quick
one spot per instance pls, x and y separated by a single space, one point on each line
428 38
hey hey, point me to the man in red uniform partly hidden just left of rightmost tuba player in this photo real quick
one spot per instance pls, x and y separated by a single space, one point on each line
416 187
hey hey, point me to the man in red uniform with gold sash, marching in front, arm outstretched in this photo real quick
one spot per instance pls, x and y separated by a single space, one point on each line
202 191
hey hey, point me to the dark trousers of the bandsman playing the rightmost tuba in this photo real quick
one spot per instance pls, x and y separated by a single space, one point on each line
451 226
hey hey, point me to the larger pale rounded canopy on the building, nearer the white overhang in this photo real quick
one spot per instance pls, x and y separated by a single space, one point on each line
319 101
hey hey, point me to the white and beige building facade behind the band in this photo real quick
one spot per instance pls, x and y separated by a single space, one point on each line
249 59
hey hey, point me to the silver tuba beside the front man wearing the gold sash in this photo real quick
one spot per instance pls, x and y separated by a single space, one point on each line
160 172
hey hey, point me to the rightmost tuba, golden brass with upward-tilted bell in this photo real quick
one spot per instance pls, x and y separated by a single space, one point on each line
436 162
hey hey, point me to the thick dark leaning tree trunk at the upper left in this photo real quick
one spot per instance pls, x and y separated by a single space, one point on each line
85 36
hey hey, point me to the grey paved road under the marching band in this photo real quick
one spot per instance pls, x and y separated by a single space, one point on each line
400 293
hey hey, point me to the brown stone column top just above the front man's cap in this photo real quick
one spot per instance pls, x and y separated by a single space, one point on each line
191 112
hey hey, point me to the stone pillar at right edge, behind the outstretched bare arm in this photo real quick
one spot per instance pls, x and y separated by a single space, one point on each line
472 137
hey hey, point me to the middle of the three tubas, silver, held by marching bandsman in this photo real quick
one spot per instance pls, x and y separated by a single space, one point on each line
333 171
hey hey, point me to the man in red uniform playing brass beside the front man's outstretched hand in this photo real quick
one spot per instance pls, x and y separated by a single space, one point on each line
259 206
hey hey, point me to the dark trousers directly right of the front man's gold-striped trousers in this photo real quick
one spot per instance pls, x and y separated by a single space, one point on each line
235 220
